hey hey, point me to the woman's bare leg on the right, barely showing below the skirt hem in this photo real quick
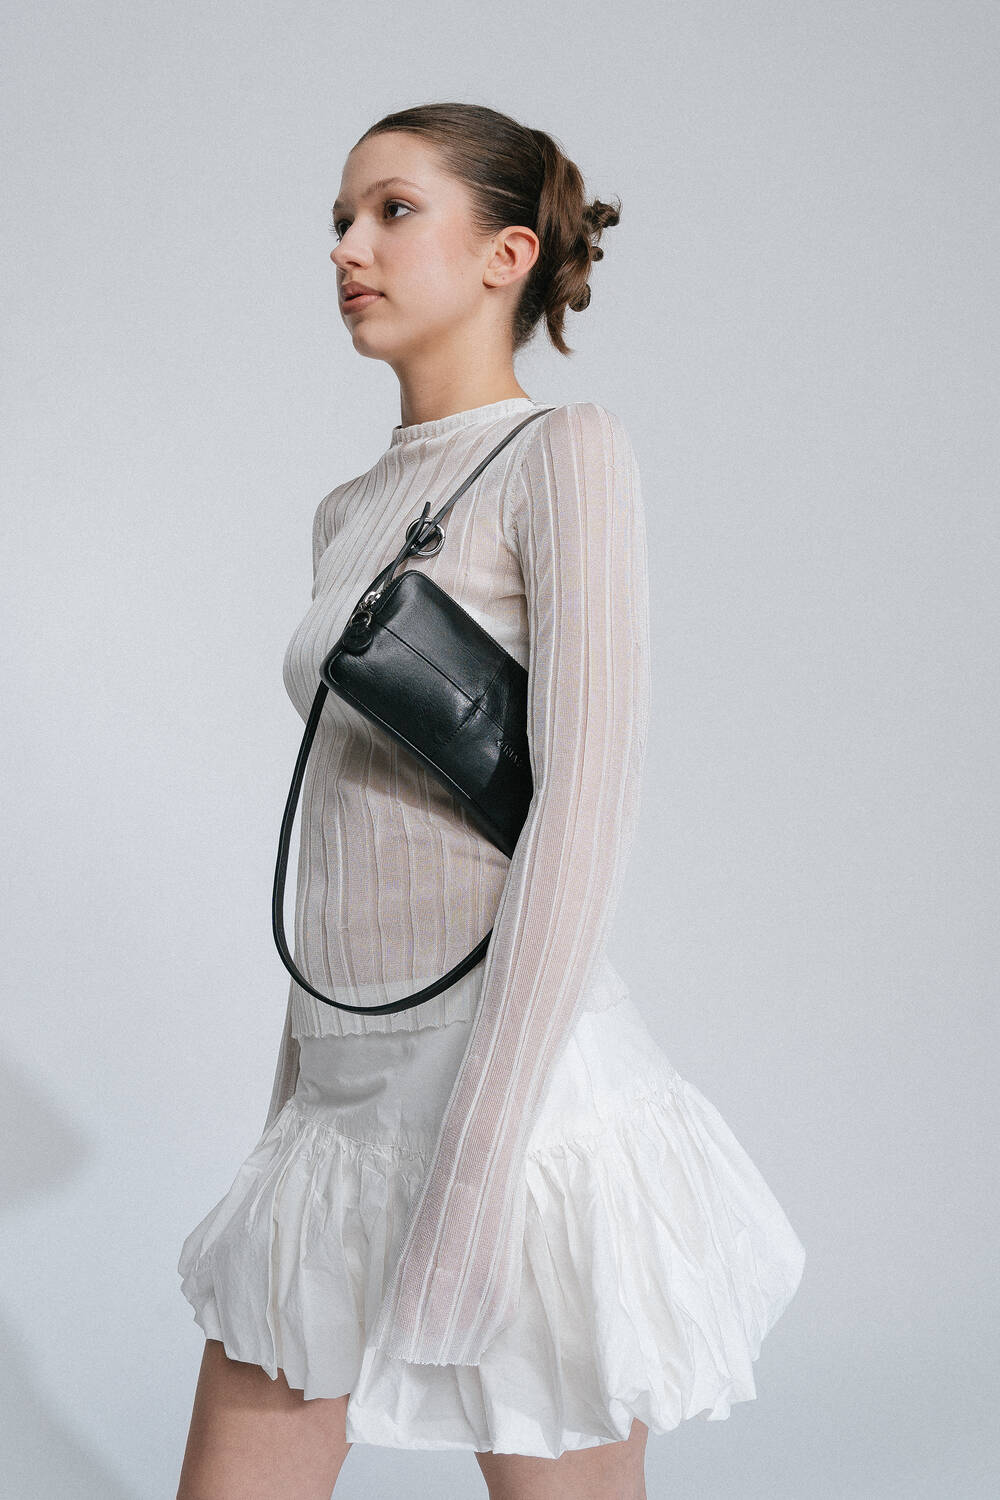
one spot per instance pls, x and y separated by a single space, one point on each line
609 1472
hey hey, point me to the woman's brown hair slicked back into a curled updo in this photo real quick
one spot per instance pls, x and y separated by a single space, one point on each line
519 176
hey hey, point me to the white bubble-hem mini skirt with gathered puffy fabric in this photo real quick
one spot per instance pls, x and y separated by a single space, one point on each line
656 1258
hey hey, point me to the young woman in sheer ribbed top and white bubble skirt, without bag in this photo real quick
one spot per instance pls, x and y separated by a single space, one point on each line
499 1220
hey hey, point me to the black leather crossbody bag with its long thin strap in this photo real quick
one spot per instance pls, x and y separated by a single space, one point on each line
421 668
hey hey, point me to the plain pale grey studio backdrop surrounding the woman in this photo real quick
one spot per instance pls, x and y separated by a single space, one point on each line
797 319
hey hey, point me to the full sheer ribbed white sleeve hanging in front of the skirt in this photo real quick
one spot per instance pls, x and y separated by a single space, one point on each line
576 512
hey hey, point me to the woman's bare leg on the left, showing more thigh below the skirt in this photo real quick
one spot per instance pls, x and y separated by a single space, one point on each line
256 1439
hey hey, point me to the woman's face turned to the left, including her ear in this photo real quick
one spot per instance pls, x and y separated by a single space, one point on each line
413 244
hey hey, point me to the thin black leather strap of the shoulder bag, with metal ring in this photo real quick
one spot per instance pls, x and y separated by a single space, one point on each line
419 533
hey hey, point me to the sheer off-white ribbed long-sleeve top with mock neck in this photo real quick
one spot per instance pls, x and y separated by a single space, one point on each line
548 553
